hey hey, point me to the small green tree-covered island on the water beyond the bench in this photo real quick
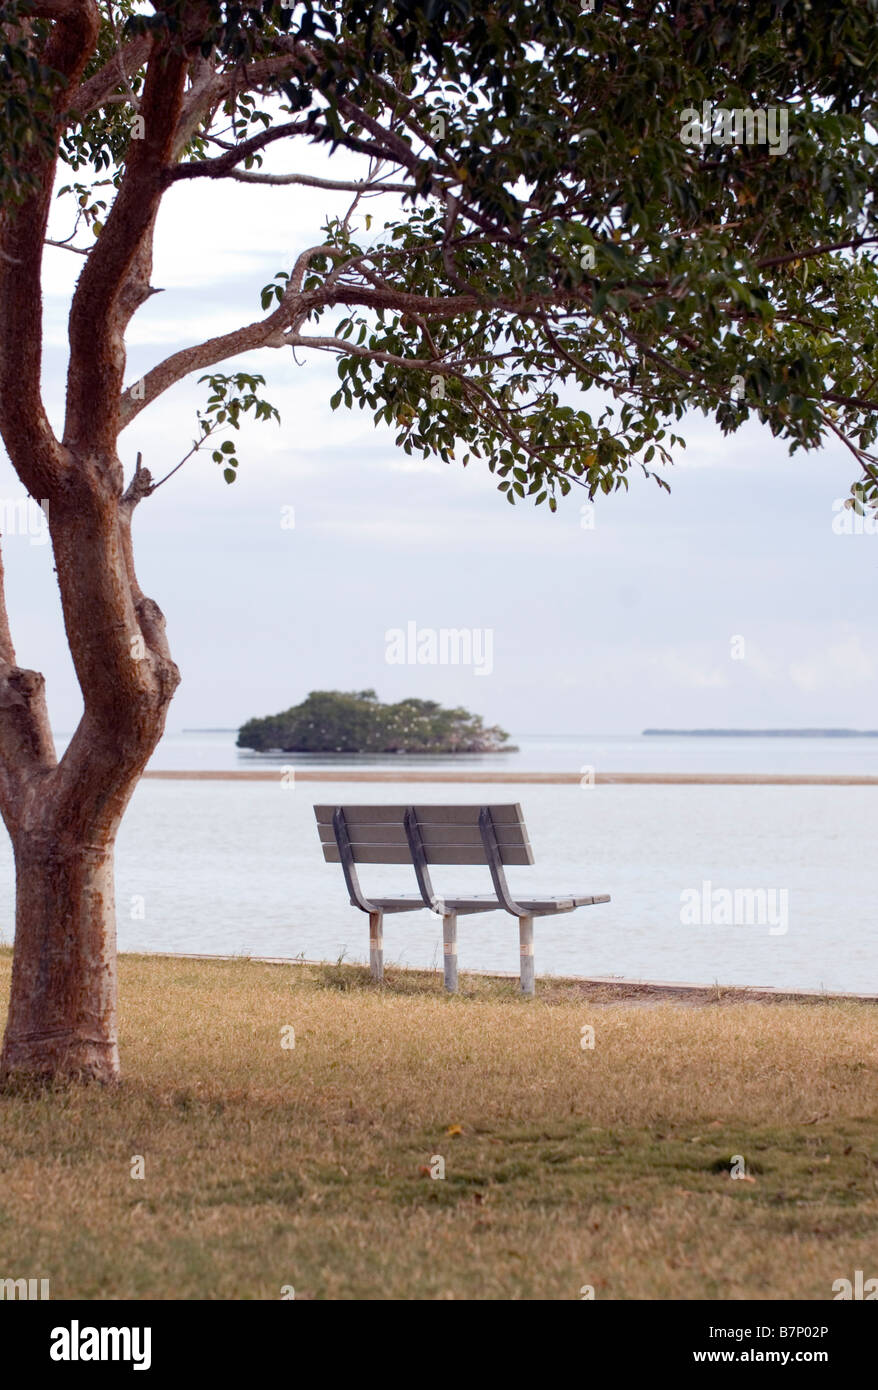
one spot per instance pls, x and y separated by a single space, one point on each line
356 722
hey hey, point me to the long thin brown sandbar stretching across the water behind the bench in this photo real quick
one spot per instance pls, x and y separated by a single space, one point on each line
345 775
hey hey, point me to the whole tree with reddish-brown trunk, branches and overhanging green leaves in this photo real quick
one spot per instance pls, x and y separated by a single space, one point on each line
605 204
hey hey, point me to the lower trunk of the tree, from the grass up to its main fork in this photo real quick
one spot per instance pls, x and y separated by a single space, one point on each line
63 817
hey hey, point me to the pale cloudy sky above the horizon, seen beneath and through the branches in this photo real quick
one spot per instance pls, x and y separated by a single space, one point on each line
611 629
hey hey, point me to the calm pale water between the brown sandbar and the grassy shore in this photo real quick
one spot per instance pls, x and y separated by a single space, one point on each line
237 868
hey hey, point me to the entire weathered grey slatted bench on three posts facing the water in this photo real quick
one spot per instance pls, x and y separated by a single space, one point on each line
424 836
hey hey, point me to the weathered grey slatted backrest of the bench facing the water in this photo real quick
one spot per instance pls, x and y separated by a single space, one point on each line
449 835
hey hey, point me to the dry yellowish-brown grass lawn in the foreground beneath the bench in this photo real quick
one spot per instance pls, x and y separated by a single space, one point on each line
310 1166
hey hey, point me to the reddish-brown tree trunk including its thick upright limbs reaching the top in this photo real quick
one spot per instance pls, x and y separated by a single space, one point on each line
63 817
